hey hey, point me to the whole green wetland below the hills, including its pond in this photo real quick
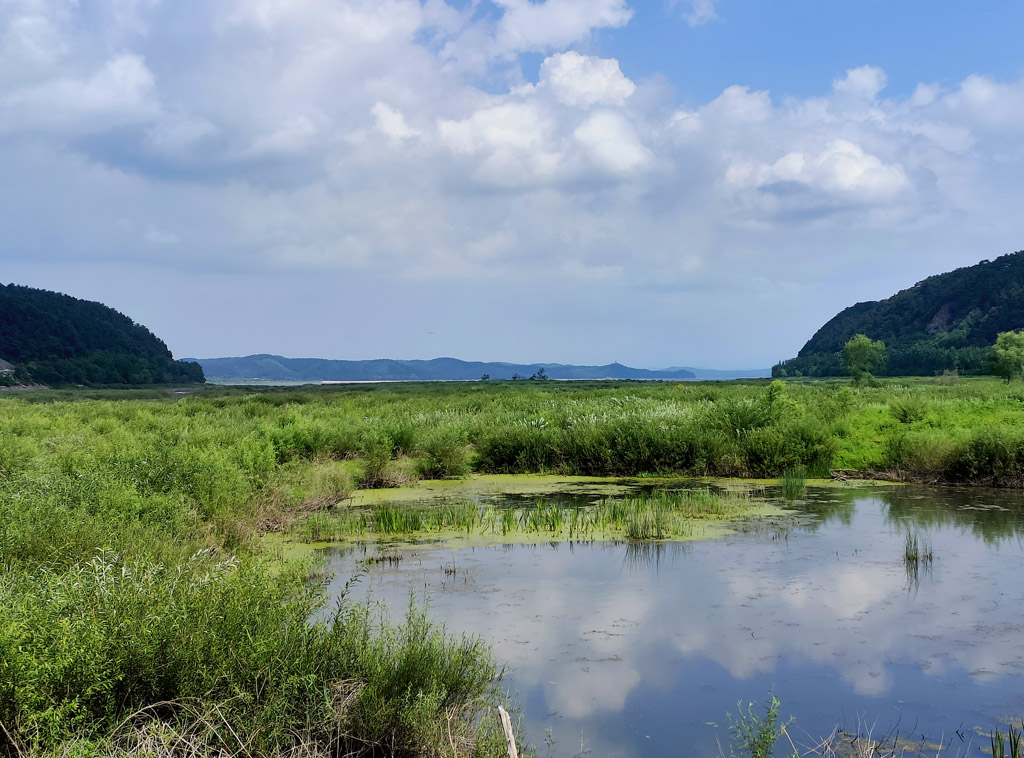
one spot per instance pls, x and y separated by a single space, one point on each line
372 570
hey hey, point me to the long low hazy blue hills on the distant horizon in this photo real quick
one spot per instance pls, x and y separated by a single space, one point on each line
276 368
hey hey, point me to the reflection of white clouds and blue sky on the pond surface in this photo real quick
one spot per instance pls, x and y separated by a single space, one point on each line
592 633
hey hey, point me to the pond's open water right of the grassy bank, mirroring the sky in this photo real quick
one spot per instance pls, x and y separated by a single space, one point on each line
642 650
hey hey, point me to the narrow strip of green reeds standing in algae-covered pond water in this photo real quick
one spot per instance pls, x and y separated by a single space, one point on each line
657 517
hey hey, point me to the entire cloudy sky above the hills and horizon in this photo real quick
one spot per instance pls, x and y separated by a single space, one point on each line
672 183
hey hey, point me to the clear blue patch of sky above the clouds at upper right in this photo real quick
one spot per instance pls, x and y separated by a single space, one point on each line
793 48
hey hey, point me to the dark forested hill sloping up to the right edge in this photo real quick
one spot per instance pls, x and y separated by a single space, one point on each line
947 322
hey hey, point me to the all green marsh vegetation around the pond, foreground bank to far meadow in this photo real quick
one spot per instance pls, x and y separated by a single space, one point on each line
141 608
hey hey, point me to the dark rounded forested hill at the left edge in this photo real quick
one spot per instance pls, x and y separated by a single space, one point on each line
58 340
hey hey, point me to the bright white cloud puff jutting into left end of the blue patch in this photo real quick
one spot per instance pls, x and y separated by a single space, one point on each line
582 80
